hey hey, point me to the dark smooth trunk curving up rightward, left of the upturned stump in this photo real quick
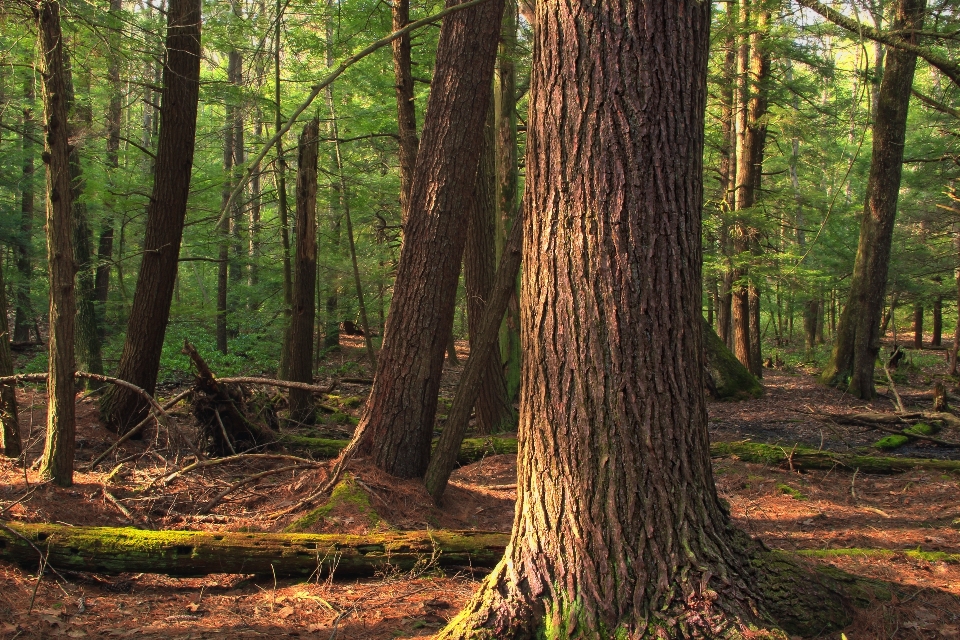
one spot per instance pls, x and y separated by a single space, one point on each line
140 361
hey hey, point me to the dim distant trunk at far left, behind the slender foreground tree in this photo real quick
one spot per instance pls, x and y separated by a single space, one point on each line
23 317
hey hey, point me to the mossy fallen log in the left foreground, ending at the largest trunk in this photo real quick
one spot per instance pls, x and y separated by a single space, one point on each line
196 553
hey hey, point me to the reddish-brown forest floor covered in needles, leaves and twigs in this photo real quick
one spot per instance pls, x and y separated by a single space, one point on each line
870 526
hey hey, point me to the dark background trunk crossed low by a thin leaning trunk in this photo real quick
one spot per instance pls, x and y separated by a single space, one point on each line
493 408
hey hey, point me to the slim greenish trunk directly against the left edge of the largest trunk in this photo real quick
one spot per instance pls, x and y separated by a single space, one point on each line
508 189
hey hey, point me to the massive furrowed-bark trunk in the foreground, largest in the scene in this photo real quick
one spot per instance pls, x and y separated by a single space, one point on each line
619 531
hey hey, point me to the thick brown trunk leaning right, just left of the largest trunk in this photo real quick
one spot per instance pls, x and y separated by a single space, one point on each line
399 417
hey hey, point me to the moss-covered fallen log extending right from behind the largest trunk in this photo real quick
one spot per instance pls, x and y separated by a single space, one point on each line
800 457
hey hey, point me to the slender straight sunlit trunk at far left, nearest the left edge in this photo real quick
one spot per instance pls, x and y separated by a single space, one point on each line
57 462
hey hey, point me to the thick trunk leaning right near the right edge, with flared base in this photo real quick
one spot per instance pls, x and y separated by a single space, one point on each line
858 337
